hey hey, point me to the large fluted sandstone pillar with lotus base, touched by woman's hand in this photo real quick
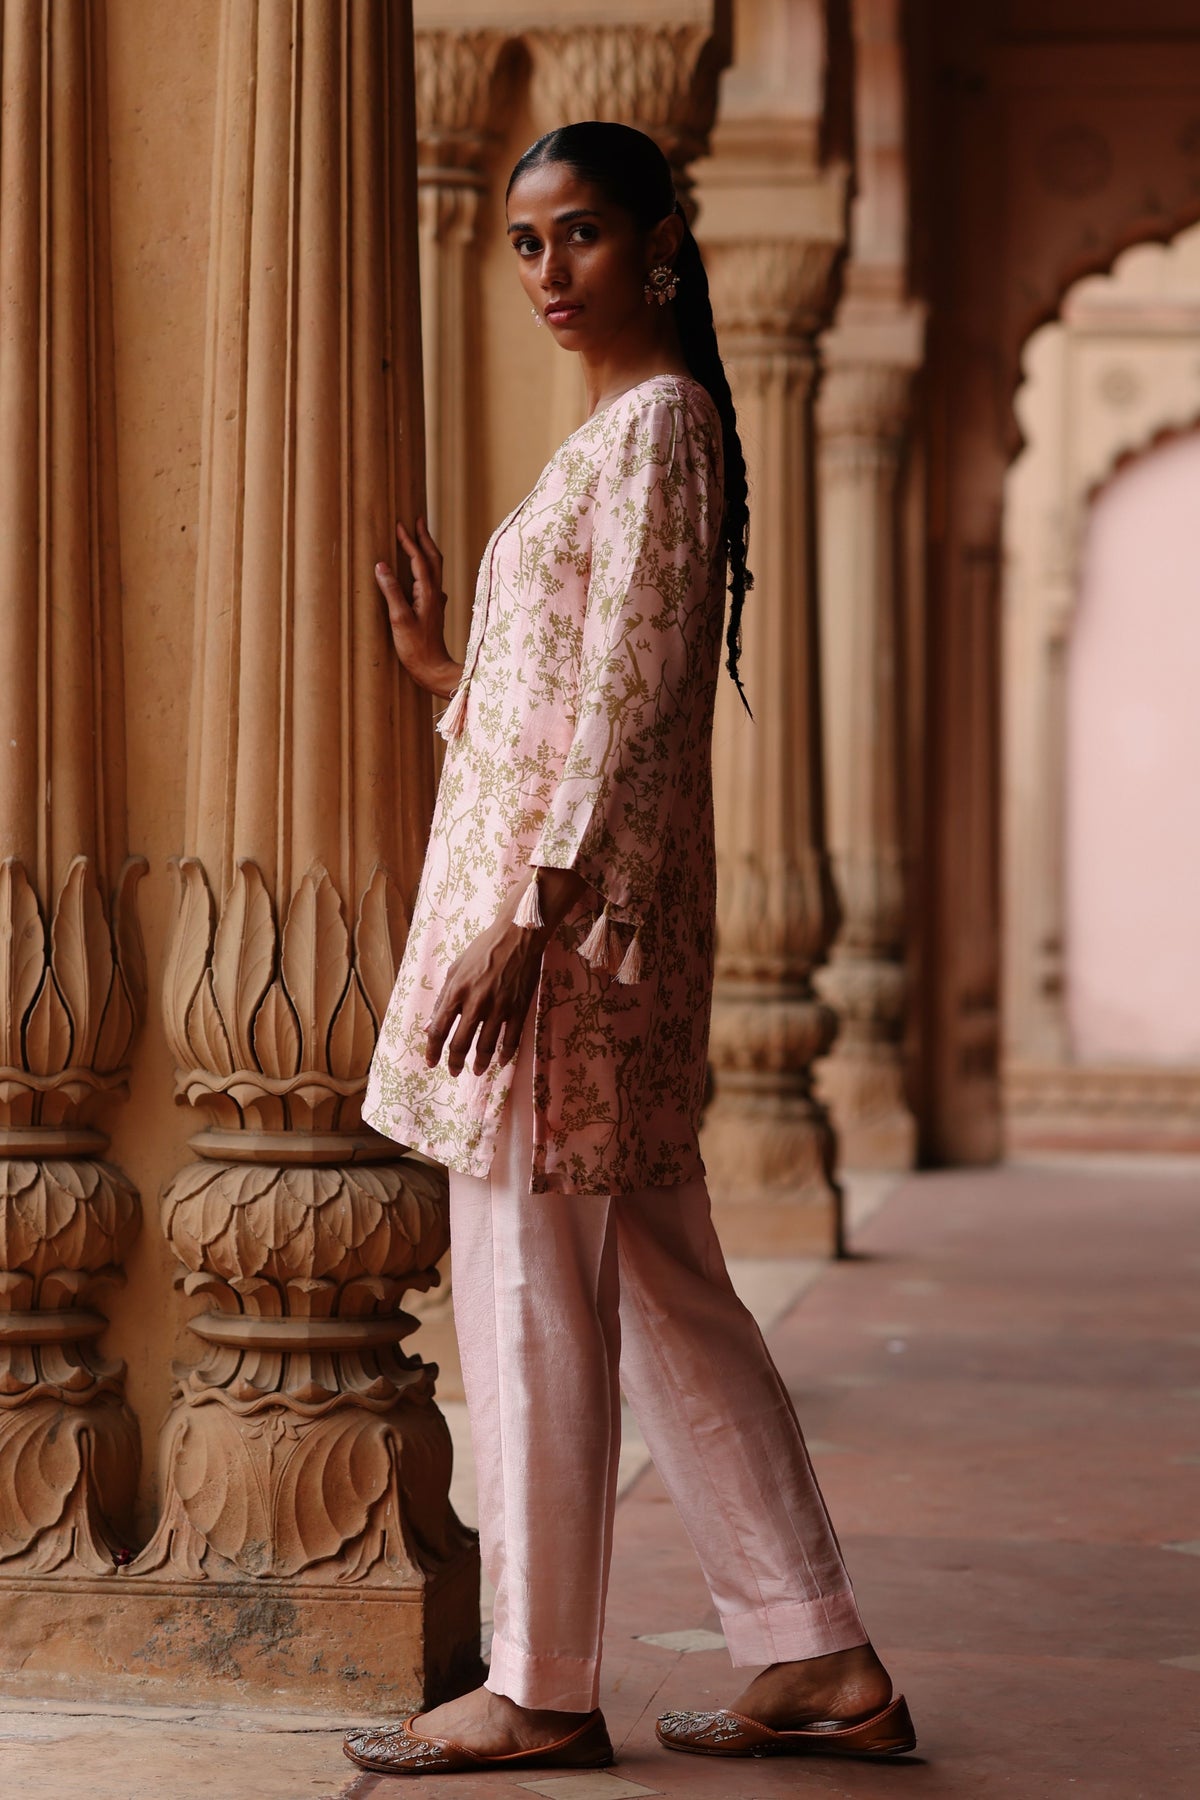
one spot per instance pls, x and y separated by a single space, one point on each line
305 1466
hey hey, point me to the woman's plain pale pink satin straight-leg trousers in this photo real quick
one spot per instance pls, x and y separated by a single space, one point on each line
560 1302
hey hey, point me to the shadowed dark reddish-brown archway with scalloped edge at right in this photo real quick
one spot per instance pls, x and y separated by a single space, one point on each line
1053 145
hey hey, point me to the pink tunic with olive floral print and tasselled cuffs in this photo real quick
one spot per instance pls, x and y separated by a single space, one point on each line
582 739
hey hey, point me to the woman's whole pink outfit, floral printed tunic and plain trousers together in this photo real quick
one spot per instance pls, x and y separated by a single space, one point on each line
580 739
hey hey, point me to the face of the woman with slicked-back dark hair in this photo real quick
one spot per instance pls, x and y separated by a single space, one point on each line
582 260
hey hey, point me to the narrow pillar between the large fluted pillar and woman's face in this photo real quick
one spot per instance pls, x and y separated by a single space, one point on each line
458 94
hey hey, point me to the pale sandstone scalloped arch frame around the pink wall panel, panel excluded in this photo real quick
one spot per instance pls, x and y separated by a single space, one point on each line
1079 440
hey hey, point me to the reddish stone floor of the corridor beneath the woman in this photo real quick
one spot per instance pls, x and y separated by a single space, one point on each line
1003 1399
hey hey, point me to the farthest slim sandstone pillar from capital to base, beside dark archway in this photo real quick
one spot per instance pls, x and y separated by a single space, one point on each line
863 415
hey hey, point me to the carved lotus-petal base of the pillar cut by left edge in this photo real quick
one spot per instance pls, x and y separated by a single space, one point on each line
71 996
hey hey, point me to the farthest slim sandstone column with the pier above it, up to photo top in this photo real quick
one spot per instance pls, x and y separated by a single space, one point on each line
870 661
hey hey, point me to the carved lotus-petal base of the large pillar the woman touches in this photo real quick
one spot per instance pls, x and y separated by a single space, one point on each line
305 1444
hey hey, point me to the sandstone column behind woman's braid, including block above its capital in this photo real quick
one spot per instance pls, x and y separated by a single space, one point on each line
773 226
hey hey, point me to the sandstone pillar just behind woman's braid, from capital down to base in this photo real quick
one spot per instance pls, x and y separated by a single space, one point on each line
767 1138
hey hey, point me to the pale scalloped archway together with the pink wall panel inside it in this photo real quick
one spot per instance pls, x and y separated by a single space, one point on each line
1102 656
